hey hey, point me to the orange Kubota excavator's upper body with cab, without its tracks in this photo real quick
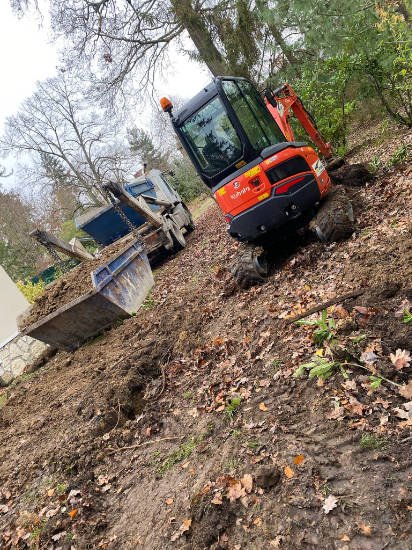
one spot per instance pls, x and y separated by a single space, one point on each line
240 143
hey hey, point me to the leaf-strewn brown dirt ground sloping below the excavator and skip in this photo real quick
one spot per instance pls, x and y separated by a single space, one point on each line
185 427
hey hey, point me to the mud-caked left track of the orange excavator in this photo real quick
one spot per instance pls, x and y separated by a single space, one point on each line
250 267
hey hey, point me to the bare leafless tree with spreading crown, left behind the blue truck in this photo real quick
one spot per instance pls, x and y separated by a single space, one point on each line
70 143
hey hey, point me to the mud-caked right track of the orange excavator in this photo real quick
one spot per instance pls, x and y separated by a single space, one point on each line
335 220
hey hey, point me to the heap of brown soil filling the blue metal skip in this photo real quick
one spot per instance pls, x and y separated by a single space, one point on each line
70 286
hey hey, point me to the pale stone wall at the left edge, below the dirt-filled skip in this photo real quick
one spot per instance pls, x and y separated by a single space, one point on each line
18 353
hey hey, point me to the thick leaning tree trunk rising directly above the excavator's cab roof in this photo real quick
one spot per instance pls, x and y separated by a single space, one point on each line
200 36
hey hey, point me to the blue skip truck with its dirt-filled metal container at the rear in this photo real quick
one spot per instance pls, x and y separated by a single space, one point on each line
144 218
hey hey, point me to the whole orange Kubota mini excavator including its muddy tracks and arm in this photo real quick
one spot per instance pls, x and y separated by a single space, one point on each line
243 147
